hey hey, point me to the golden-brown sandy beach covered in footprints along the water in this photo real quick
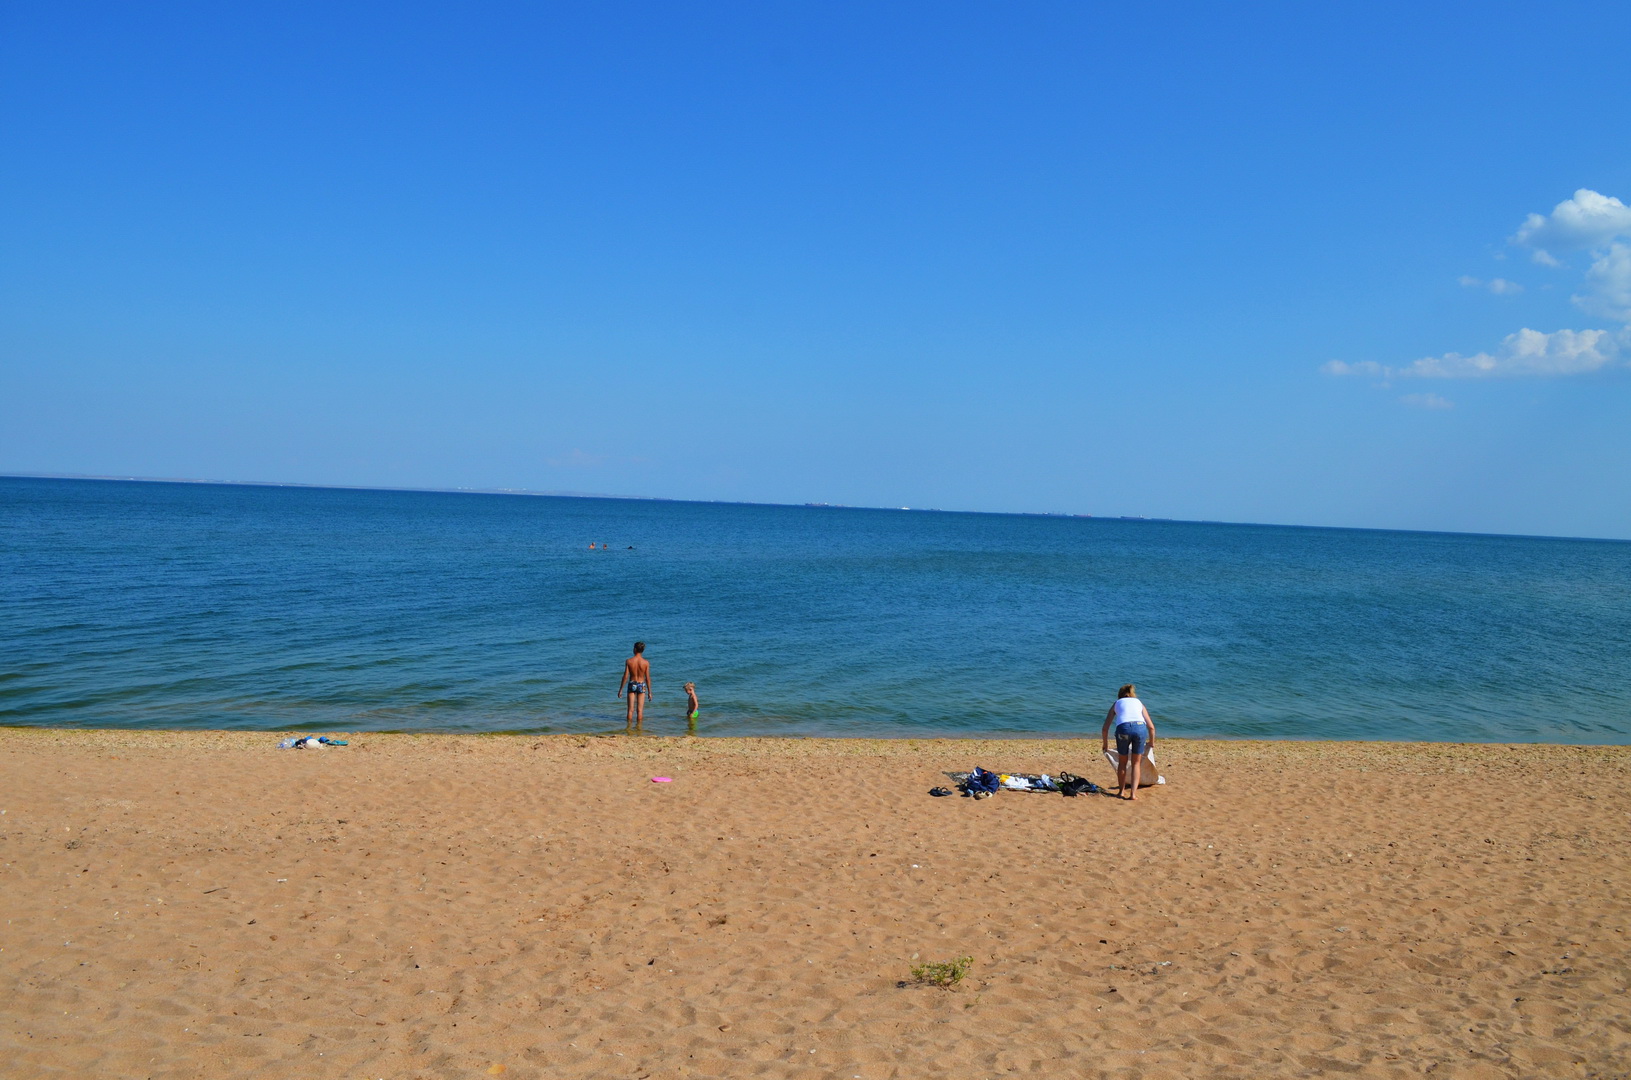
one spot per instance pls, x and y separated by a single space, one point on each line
467 906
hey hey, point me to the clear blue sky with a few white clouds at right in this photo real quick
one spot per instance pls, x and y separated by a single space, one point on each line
1333 265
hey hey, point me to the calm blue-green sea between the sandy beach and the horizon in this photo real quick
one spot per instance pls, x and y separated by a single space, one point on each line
216 606
